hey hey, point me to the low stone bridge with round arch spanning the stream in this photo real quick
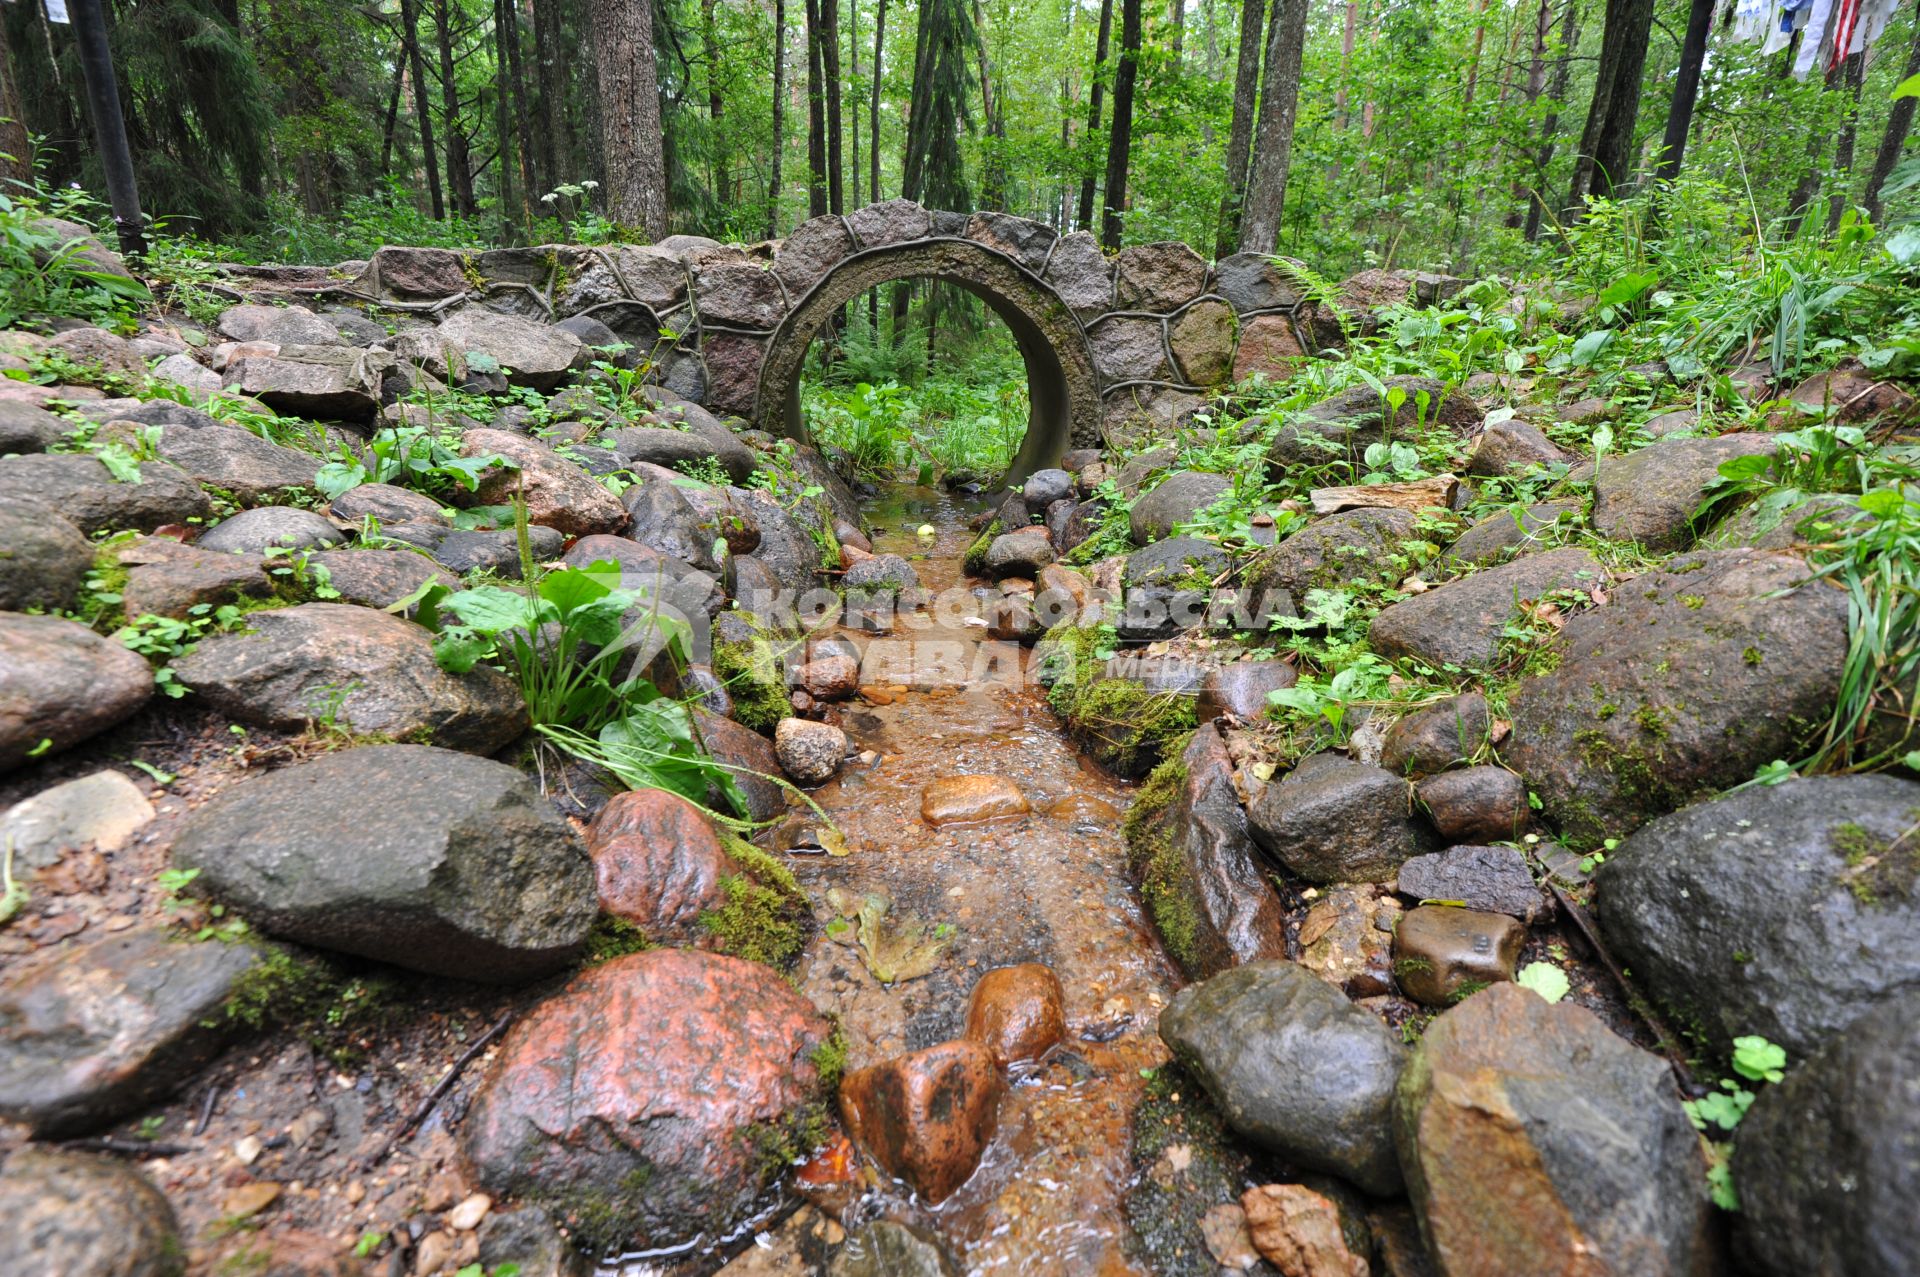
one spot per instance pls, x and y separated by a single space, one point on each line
1115 347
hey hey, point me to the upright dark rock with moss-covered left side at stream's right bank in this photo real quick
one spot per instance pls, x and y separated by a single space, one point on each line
1197 867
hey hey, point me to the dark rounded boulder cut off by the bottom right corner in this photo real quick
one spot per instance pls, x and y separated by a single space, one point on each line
1825 1161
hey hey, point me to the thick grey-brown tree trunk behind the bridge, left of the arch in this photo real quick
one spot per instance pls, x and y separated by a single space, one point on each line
631 114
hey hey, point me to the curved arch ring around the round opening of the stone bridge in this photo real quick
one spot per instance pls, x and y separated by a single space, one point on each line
1063 385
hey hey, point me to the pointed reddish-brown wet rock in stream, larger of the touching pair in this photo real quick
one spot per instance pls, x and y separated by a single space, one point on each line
926 1117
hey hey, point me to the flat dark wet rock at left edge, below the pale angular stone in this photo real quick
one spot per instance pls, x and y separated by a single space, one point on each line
112 1026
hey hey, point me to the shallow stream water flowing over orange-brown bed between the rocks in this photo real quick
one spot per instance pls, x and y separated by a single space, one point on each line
1045 888
